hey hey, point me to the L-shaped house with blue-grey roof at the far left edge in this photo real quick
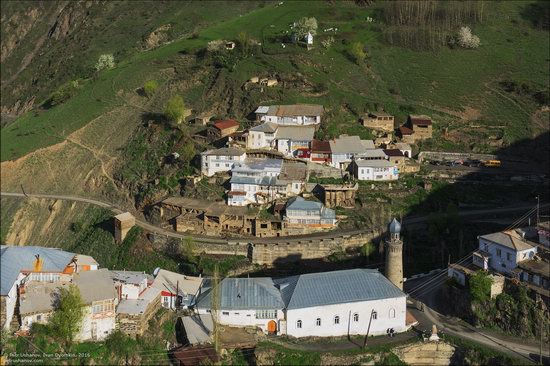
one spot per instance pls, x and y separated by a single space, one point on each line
23 265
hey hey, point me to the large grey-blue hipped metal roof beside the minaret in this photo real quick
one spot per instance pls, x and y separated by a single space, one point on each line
327 288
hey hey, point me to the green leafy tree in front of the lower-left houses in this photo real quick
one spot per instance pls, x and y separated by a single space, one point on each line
67 317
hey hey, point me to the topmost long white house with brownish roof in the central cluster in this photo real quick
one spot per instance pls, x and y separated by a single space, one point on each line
291 115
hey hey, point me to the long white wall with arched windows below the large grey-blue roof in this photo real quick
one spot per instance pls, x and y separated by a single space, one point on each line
327 313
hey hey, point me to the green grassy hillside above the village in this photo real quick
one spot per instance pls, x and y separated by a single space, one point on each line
461 88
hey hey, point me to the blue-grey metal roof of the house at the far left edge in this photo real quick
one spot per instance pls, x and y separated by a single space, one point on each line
15 259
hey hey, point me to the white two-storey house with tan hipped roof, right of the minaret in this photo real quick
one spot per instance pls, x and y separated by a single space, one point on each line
502 251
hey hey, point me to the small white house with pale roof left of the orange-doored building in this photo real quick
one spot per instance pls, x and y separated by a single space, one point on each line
177 291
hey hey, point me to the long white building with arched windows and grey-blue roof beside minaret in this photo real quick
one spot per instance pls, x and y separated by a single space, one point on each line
340 303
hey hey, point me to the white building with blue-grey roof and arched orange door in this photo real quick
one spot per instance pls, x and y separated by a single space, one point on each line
245 302
